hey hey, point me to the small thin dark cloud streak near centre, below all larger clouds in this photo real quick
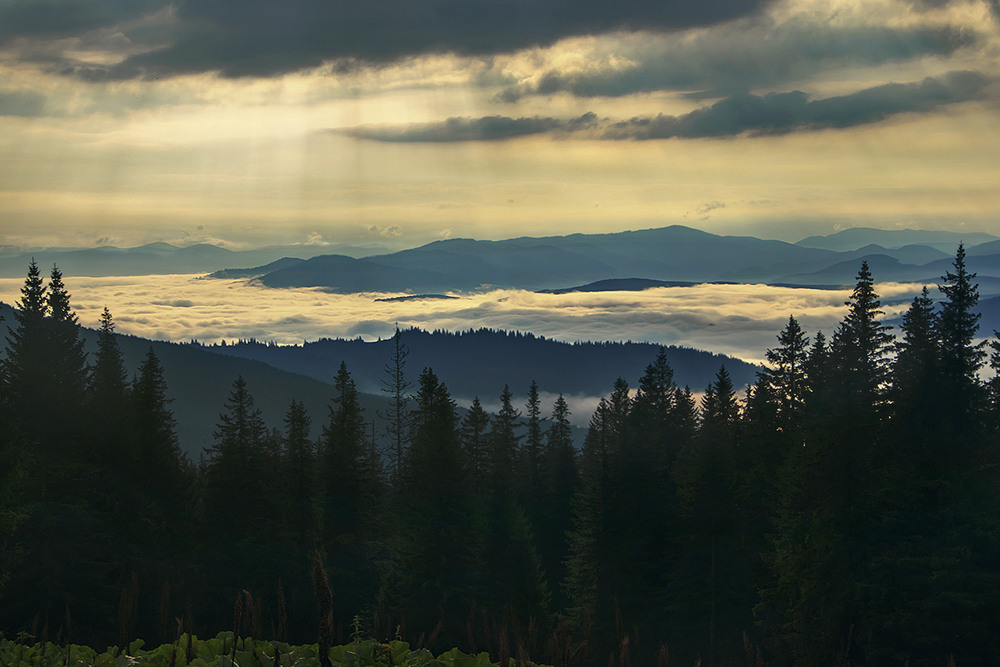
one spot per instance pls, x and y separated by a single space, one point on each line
489 128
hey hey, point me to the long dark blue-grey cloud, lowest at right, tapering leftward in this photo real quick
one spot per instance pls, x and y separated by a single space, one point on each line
780 113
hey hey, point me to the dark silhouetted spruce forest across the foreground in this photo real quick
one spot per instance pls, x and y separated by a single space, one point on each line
844 510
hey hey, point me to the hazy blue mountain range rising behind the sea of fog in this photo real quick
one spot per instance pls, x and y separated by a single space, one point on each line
673 254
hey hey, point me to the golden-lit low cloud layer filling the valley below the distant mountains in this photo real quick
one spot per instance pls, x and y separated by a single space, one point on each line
739 320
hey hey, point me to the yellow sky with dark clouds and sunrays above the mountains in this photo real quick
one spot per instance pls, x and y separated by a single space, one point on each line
253 122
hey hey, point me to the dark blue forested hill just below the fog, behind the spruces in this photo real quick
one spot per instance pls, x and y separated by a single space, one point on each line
481 362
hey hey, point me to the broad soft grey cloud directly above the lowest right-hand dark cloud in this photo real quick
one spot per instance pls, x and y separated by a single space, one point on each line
746 55
